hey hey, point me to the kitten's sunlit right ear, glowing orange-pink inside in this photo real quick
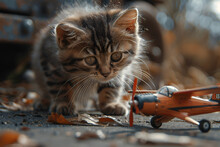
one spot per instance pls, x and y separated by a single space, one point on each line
128 21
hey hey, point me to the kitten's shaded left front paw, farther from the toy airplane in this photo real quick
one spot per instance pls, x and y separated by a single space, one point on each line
60 108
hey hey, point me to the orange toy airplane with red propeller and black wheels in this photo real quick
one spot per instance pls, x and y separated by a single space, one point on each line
168 103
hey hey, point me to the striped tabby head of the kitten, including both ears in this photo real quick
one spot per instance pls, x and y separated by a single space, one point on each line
99 45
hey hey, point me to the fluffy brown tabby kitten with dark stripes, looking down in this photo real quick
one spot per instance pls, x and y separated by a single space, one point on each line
87 52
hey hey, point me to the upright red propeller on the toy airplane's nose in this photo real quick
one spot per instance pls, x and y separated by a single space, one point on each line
133 103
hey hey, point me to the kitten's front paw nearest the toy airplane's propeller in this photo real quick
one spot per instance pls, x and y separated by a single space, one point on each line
114 109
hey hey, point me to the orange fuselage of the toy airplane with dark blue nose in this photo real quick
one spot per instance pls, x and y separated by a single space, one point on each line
157 104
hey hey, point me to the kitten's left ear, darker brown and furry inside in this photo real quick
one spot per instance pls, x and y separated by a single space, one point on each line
66 33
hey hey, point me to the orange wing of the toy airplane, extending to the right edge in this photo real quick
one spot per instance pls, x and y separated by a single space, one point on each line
196 92
